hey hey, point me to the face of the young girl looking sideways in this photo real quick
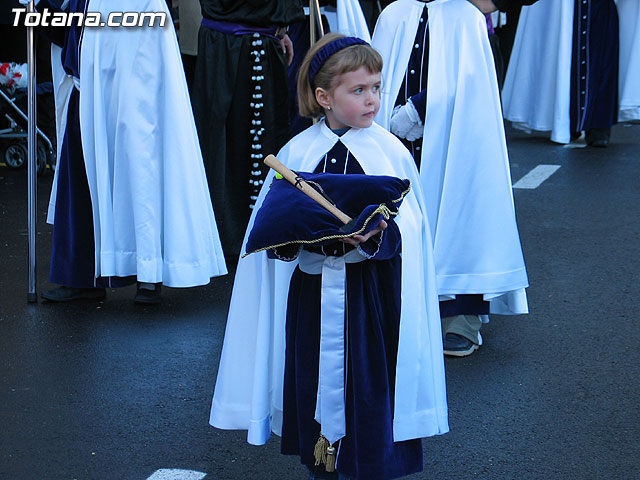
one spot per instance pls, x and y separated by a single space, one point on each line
353 102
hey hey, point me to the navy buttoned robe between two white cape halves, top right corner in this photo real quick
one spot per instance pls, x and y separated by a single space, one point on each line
594 66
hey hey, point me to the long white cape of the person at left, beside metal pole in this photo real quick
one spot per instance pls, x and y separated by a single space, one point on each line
151 207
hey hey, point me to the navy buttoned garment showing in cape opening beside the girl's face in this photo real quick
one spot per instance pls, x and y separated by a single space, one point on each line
415 78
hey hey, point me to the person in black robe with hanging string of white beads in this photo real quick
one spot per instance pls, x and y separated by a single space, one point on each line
240 102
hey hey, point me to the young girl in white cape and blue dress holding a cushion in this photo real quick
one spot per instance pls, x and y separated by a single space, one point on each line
373 386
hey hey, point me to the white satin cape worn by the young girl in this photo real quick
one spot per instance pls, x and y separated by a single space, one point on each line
249 388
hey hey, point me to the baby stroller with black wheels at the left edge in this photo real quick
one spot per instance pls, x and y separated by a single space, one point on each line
13 130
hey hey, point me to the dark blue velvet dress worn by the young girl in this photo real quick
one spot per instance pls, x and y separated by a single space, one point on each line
371 332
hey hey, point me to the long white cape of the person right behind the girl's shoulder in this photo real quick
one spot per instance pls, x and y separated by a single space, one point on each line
464 167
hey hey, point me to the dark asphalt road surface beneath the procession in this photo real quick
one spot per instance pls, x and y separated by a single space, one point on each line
111 390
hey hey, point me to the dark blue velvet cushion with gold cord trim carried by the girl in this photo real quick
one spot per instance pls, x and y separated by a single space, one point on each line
288 216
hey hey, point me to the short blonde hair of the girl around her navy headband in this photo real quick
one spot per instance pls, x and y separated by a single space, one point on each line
346 60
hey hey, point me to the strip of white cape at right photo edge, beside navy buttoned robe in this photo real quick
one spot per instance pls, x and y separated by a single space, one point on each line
629 81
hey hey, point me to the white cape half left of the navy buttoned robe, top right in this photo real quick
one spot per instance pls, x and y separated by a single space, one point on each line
537 87
